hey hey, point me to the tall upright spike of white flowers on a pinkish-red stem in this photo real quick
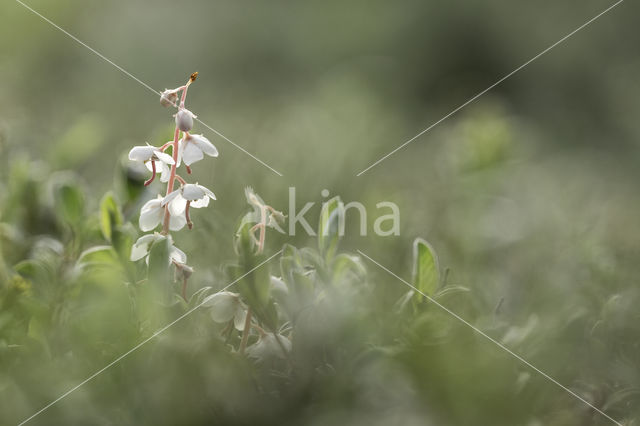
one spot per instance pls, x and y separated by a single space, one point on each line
171 212
